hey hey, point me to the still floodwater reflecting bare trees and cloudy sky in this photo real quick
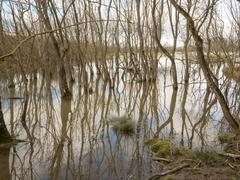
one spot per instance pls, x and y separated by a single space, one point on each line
72 138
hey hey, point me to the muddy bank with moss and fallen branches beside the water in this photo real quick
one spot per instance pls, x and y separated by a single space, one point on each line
172 163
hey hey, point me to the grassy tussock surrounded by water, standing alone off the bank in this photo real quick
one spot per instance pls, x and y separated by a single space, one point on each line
123 125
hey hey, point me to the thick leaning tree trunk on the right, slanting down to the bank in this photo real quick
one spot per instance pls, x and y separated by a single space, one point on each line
205 68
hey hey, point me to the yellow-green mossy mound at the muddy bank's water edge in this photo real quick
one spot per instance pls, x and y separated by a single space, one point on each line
161 147
